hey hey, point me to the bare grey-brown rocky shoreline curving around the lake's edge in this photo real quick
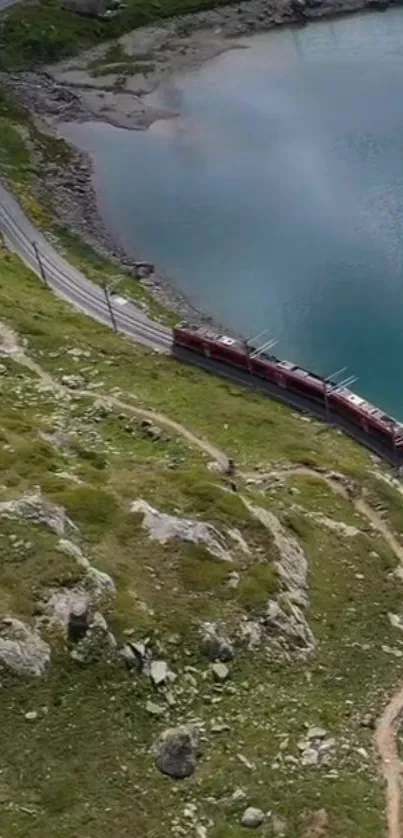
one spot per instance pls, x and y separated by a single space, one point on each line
92 87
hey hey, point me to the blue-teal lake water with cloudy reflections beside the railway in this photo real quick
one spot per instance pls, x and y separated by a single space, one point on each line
275 201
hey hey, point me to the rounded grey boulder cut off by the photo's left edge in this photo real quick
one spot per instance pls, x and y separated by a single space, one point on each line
22 649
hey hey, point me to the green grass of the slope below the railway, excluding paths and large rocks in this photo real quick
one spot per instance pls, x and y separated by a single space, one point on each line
84 766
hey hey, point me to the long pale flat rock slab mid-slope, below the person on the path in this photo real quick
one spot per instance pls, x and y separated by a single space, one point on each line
162 527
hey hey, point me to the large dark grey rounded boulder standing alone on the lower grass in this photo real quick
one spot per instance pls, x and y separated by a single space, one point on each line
176 752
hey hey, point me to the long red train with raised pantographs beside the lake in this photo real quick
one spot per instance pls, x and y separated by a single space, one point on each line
338 399
